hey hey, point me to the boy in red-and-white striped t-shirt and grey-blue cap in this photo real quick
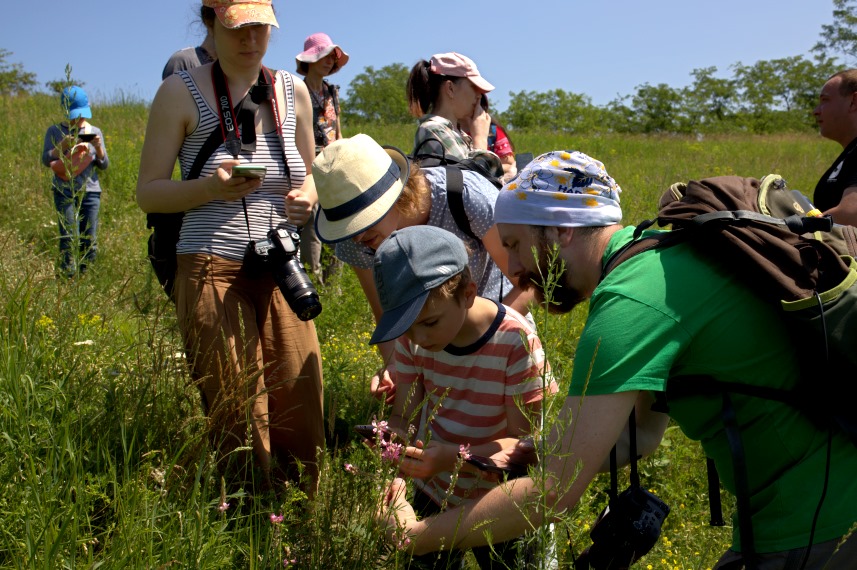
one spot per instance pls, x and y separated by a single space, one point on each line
471 371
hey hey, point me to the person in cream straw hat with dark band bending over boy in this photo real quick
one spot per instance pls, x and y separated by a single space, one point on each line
367 191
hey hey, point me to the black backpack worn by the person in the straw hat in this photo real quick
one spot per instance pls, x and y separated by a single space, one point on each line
484 165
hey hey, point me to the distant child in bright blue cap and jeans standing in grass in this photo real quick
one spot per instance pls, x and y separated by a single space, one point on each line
74 150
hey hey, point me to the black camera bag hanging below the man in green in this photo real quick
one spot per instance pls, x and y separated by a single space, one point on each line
625 531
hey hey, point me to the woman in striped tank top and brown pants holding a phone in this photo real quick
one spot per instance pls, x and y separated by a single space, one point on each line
255 360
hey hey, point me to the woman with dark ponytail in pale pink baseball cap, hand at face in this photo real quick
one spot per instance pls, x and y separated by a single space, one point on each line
444 93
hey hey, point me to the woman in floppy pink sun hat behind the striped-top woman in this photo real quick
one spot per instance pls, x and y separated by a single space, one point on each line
320 58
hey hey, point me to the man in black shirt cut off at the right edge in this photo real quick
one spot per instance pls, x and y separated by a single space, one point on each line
836 114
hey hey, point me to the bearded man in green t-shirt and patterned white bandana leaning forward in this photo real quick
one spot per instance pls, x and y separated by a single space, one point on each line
662 314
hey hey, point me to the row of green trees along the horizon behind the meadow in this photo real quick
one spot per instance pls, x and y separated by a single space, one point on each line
769 96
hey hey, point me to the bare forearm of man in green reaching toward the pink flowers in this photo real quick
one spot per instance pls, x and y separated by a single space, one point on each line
585 432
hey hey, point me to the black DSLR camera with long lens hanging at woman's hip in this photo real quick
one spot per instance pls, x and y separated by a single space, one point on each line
278 255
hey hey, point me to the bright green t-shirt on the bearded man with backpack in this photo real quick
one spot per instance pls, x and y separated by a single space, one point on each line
699 320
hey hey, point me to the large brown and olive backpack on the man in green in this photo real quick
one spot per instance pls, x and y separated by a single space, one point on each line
795 259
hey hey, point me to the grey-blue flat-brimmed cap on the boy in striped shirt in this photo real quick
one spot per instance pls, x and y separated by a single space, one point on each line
407 266
